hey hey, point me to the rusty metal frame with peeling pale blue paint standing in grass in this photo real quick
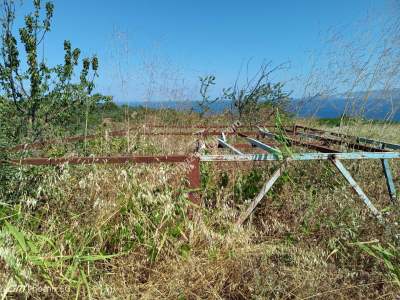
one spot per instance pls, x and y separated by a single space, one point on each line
274 154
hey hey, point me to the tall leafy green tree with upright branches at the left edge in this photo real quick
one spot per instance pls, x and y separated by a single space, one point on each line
35 96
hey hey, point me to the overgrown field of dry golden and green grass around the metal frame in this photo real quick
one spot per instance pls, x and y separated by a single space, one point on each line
123 231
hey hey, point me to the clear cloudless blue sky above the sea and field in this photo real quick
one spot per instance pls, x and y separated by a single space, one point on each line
188 39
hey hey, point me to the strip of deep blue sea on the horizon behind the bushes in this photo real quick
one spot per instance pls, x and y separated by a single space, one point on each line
373 109
